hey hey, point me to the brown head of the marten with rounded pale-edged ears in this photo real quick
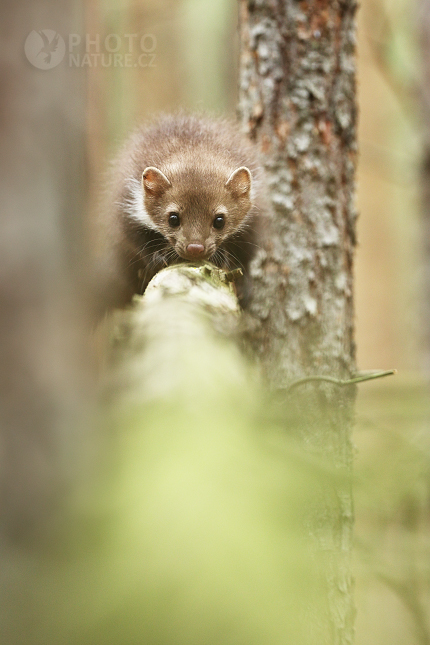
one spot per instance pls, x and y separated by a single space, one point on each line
196 209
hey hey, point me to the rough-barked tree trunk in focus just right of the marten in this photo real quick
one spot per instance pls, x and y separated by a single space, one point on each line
297 101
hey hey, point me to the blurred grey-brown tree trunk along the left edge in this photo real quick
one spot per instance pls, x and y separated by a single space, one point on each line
43 272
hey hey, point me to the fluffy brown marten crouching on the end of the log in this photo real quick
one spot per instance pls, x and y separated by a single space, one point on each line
186 165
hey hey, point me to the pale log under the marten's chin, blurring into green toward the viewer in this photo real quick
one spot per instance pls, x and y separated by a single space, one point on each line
207 537
